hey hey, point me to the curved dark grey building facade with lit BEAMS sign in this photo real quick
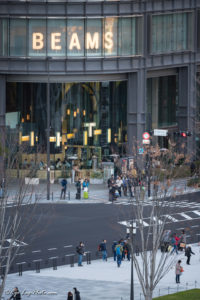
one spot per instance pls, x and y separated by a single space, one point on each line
80 79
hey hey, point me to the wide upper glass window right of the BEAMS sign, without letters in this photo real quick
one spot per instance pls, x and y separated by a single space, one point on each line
171 32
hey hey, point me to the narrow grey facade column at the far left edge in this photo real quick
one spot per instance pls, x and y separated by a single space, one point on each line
2 125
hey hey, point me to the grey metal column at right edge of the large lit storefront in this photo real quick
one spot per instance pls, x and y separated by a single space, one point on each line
136 105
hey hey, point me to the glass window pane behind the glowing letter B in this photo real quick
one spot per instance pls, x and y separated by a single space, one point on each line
37 37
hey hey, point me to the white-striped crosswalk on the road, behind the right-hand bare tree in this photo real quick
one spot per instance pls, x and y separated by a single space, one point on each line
175 218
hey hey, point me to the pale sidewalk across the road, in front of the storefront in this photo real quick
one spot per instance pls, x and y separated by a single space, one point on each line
98 193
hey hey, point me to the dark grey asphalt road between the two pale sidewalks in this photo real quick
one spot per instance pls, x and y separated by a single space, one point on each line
52 231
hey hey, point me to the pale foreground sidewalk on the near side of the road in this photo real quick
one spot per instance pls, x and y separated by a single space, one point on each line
101 280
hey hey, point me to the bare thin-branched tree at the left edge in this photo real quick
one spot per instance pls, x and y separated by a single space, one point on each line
14 224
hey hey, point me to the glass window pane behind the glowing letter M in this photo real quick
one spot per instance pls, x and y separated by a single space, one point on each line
93 36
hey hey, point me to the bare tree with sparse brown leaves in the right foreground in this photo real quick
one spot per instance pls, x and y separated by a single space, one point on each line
159 166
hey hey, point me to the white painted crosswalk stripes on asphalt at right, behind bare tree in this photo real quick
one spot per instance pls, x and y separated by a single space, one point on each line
185 217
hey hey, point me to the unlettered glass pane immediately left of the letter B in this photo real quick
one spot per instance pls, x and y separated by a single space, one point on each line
17 37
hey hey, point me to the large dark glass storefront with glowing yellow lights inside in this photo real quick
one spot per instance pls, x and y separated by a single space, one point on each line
87 120
